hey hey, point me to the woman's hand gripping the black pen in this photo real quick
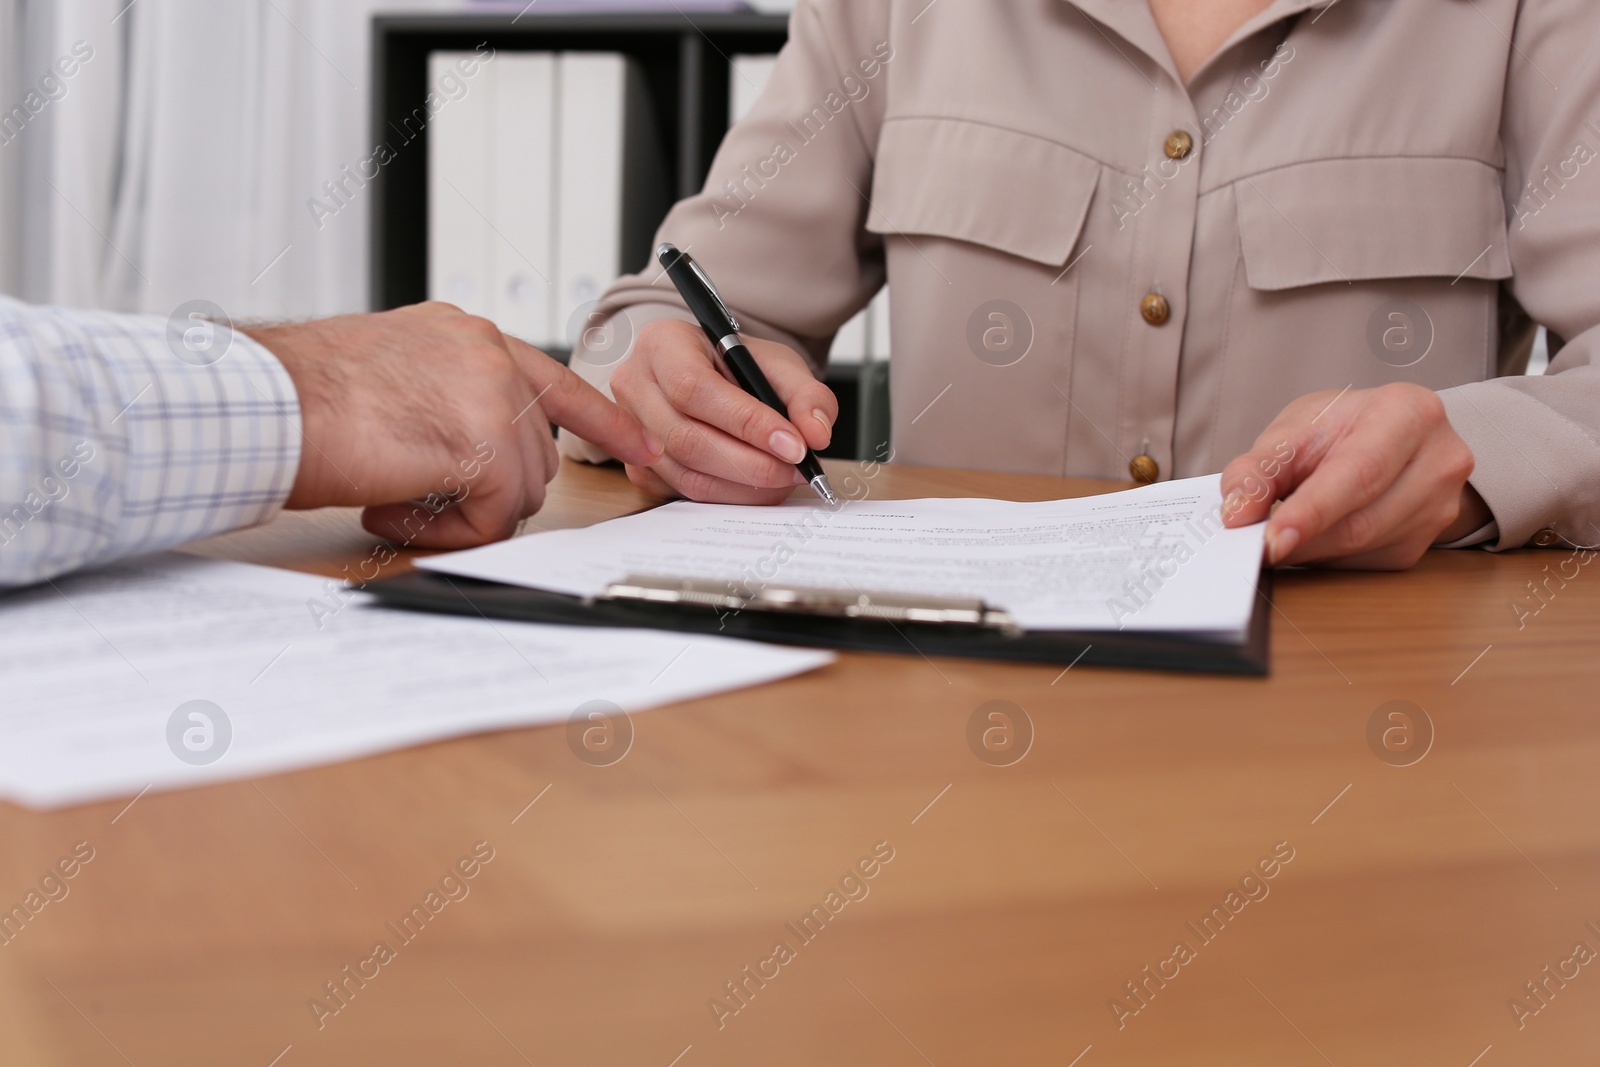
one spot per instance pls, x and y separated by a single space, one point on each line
722 444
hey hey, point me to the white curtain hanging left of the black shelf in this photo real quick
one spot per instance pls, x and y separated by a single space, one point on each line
178 161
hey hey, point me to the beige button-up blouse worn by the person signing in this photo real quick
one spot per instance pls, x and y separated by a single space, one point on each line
1094 266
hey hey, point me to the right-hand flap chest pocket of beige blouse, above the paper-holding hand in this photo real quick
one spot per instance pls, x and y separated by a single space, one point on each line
1367 271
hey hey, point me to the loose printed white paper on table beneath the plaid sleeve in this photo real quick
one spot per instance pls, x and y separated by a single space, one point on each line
97 666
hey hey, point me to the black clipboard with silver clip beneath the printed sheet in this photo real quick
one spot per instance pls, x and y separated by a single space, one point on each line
839 620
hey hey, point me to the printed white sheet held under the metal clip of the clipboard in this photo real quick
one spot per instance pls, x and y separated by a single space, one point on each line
1150 559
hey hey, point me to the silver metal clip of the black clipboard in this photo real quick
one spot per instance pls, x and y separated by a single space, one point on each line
833 604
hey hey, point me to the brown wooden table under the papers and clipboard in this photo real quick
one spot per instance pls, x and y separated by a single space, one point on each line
1428 882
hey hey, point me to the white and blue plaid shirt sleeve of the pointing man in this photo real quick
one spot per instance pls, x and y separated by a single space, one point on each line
126 434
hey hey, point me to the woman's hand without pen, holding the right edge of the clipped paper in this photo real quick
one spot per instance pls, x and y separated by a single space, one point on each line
1369 479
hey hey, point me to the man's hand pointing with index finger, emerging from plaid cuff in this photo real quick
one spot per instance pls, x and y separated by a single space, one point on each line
433 404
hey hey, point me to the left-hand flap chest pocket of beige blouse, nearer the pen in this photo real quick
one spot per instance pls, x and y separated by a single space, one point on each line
980 225
